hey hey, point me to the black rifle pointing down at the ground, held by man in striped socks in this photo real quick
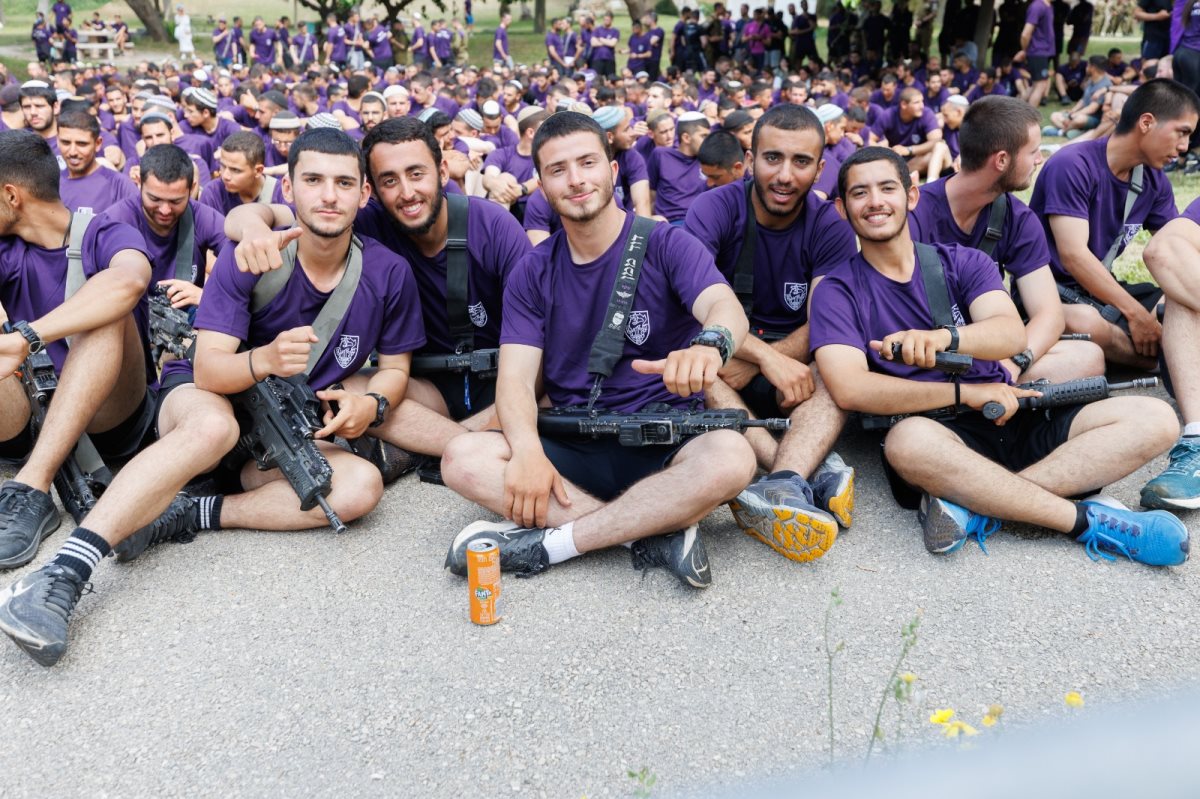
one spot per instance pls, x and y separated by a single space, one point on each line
284 413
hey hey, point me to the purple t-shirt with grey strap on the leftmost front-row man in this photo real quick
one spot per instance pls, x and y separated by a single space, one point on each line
33 280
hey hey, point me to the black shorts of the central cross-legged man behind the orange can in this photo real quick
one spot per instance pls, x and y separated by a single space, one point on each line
603 467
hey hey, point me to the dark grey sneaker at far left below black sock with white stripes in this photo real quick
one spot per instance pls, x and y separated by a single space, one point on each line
35 611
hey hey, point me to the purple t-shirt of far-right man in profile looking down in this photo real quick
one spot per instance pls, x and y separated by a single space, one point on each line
1078 183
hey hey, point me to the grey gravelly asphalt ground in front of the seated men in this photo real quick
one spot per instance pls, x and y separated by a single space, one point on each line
251 664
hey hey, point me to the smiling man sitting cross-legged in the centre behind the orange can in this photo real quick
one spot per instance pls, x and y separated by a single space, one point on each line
563 496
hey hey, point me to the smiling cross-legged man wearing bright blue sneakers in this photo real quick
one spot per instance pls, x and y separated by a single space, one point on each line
973 471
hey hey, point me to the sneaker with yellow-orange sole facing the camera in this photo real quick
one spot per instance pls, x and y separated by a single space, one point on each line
781 514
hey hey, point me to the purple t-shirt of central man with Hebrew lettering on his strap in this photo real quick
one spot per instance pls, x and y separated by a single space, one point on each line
551 299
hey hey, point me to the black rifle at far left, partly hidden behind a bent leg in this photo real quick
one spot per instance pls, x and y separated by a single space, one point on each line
83 477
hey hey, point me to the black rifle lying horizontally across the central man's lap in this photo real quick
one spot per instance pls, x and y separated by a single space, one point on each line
649 428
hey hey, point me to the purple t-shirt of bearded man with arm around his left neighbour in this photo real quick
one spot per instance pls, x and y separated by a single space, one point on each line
495 245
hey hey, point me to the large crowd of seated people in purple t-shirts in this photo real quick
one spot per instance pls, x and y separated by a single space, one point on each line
730 233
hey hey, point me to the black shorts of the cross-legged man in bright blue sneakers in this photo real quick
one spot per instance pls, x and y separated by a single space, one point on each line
1029 437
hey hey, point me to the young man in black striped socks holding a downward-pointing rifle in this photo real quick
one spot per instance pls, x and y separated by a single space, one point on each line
236 349
